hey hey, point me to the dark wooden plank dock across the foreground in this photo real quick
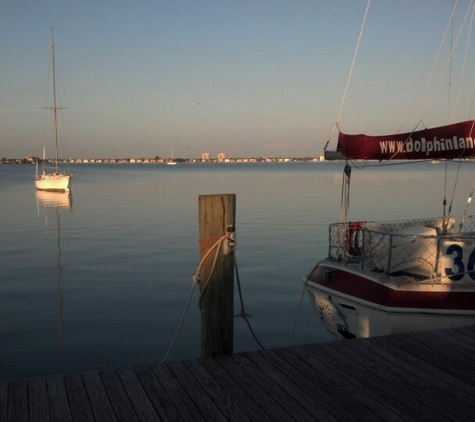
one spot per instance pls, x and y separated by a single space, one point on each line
426 376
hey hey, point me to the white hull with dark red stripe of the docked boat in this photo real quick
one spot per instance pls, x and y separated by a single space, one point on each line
353 305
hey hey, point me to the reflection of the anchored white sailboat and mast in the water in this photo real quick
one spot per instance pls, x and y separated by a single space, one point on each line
55 201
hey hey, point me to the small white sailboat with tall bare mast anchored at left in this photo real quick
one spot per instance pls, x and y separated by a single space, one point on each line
53 181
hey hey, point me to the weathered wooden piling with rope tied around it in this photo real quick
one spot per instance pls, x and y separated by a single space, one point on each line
216 219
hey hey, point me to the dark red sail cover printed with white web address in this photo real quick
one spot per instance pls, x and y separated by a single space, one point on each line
452 141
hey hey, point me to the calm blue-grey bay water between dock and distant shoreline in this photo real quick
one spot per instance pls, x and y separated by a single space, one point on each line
101 281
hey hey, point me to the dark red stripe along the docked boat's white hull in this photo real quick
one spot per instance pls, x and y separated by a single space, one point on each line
360 287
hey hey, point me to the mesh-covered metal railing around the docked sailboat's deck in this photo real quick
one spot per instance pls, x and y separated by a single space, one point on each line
412 246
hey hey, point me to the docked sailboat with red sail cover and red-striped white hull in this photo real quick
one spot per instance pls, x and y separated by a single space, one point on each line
385 277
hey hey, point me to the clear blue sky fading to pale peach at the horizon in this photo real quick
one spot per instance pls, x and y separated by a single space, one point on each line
249 78
